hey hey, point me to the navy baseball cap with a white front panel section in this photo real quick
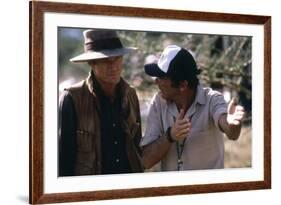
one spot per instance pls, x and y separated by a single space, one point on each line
175 62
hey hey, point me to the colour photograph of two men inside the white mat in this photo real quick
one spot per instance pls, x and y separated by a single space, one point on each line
139 101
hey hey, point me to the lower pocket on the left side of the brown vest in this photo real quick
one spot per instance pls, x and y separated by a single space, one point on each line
84 141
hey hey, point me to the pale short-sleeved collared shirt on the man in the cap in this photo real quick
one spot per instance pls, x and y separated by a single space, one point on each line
204 146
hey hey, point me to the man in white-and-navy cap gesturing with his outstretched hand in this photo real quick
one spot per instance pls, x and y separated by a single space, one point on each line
186 121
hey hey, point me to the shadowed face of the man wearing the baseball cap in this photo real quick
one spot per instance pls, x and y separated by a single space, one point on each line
167 90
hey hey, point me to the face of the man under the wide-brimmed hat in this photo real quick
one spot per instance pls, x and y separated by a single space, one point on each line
108 70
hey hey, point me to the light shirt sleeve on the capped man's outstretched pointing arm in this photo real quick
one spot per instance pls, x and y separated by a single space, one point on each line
218 107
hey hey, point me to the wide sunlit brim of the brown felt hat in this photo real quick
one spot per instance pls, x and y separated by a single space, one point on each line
93 55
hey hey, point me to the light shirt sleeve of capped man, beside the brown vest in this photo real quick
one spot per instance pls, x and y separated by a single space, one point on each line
154 127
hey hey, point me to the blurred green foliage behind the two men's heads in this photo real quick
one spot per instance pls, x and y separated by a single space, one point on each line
225 60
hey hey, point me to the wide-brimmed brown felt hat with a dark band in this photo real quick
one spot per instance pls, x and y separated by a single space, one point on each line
100 44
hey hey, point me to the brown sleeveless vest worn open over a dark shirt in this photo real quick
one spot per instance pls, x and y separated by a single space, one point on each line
88 136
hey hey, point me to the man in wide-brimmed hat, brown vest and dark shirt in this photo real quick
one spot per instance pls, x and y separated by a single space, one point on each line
99 126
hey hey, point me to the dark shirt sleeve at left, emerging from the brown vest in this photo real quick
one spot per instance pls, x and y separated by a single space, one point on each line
67 133
